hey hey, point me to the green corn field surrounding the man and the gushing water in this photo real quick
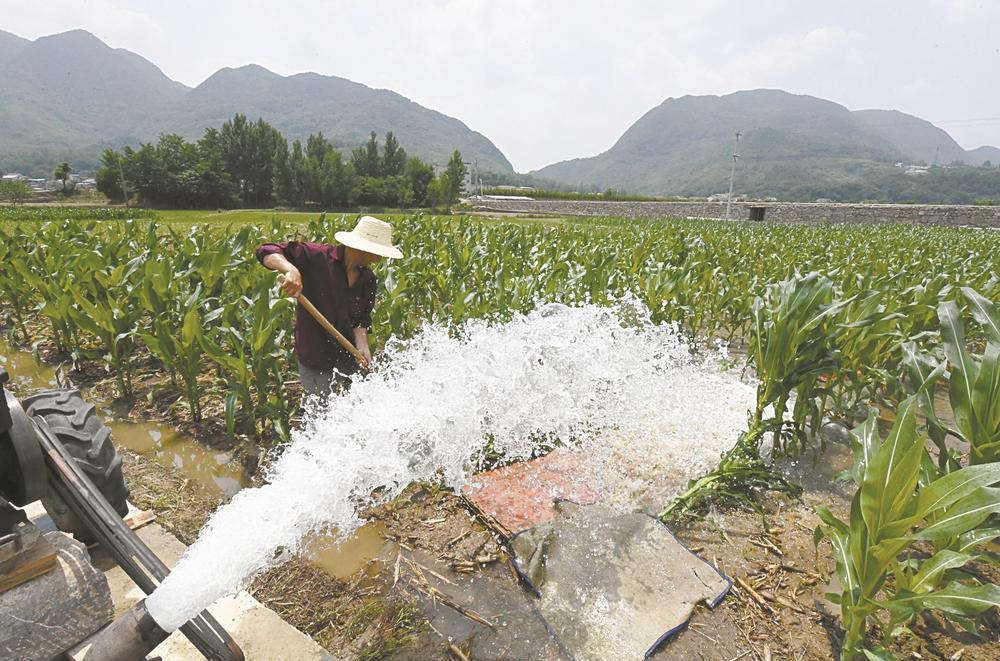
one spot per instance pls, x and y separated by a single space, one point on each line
837 321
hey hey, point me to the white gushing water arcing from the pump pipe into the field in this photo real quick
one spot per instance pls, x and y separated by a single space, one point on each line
626 390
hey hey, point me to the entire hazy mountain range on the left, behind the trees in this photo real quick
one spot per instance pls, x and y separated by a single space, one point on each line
68 96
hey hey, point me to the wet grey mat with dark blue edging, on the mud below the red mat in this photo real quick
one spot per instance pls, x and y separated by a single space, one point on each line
610 585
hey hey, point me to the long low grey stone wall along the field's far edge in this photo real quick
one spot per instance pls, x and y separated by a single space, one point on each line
793 212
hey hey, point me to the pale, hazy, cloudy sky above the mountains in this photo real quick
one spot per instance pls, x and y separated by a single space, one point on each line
548 80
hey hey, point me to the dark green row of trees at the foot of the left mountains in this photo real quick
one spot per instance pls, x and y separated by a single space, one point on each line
251 164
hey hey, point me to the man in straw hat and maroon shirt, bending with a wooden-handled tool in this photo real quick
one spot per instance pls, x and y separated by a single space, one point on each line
339 281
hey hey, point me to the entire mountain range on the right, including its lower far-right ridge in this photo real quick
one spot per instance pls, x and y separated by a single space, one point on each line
792 147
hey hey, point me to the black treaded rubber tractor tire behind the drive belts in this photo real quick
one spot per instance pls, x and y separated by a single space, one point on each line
76 423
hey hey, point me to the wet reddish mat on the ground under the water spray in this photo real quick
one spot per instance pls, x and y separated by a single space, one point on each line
523 495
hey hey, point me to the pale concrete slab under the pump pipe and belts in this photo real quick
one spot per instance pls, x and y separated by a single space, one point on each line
259 631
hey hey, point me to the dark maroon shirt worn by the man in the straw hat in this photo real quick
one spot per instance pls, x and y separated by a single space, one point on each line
324 283
